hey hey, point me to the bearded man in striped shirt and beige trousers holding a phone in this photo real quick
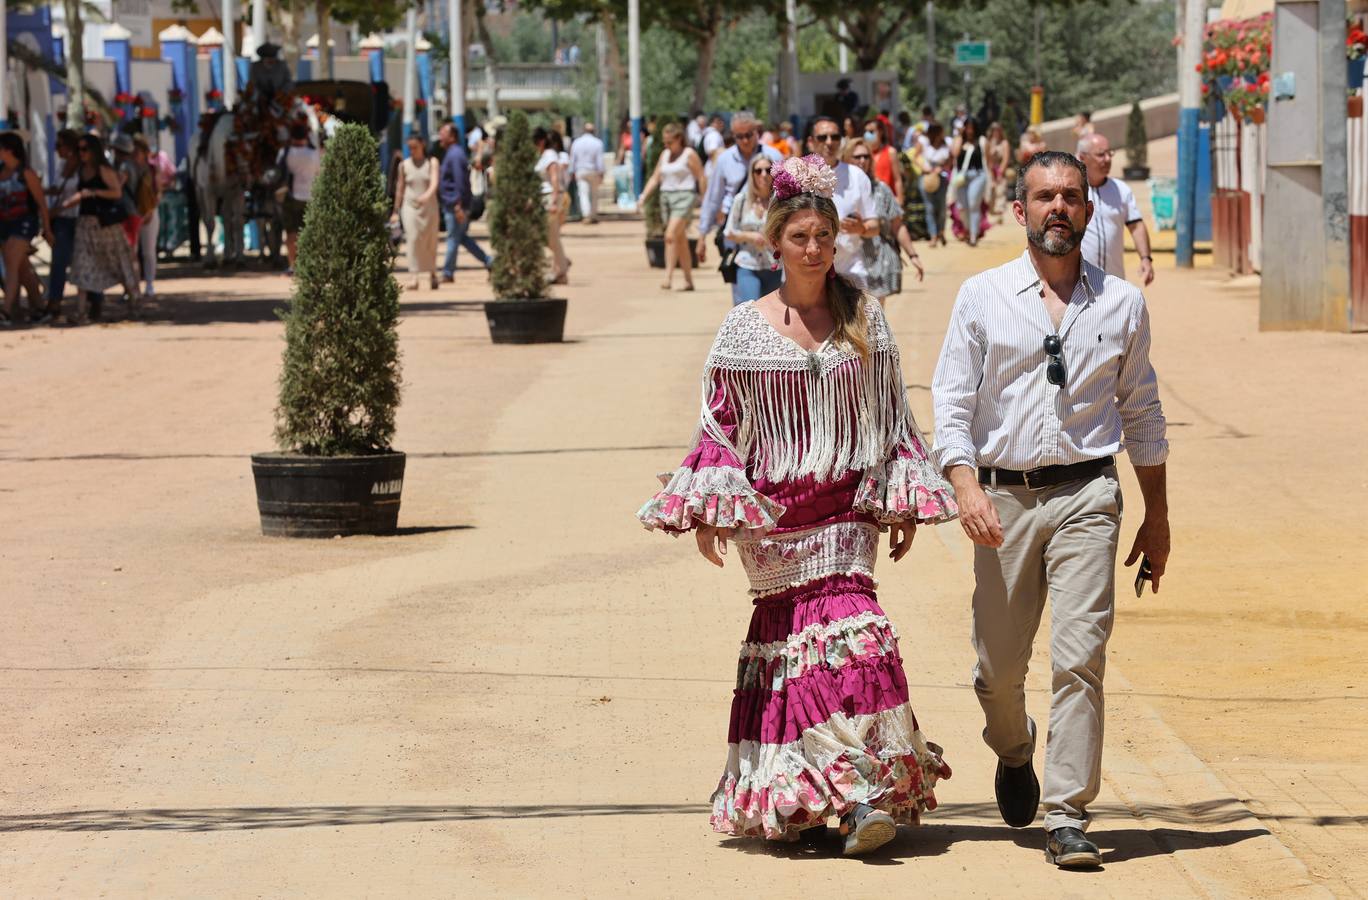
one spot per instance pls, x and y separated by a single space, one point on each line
1043 378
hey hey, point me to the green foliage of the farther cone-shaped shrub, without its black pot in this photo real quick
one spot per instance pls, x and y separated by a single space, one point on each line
518 218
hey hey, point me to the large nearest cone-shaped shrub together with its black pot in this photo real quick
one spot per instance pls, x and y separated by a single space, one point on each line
340 384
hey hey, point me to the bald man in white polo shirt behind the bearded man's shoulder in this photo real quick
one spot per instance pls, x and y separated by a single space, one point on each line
1114 214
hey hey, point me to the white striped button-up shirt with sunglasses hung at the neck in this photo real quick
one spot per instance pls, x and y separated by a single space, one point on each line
994 406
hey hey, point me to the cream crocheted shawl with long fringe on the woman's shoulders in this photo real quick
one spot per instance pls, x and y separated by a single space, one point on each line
806 414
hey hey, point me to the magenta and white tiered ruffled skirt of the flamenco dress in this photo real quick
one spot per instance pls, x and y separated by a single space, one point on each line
821 717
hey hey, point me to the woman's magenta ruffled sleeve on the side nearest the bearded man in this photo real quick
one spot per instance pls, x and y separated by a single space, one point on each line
906 486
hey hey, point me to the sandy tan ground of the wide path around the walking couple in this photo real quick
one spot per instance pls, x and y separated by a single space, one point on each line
525 694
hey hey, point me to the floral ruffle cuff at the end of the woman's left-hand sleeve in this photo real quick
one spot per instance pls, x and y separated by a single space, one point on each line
715 496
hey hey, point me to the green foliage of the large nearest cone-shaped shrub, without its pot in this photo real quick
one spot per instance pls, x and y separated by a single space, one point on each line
340 386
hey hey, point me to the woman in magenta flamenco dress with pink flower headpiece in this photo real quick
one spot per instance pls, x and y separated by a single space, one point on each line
806 452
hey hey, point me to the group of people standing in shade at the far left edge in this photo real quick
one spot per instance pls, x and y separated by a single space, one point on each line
99 217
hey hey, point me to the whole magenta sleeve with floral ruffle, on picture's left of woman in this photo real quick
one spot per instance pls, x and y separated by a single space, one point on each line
711 486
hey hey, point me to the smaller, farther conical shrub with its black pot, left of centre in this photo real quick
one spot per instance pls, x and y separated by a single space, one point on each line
523 313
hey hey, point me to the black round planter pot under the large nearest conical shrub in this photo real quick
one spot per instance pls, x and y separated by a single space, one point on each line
321 497
